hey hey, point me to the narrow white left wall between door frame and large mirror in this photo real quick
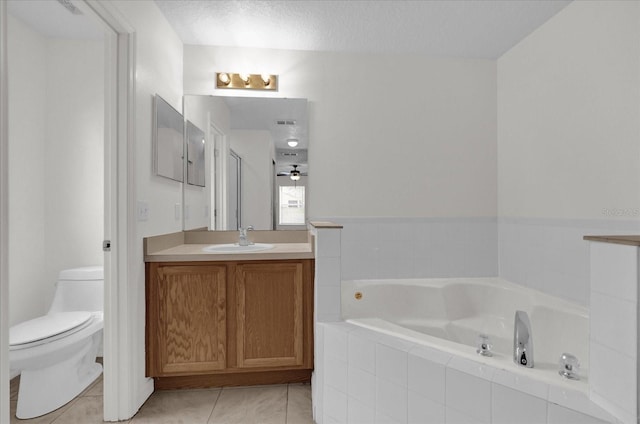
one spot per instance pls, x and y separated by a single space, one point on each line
158 62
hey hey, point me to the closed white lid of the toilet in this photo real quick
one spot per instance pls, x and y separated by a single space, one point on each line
46 326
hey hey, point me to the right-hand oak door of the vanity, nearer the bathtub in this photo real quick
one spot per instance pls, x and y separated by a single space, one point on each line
269 315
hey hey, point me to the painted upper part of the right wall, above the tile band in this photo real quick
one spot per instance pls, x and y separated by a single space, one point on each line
568 104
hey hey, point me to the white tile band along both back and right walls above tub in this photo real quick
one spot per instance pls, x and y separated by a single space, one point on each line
549 255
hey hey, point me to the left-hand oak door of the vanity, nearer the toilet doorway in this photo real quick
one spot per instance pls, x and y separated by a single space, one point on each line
191 333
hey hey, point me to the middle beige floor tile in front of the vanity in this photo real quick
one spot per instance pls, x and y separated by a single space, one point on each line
256 405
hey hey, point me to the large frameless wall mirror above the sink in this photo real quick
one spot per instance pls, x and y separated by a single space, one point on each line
255 162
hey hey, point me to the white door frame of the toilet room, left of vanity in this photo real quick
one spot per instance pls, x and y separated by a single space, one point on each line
121 377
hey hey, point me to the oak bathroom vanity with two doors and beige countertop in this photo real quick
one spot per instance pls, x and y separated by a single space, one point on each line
232 318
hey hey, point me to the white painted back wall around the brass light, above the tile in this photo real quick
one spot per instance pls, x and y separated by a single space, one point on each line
438 136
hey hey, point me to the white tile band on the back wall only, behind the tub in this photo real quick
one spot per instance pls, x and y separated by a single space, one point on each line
418 247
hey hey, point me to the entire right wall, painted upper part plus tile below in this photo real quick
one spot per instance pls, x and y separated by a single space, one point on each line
568 151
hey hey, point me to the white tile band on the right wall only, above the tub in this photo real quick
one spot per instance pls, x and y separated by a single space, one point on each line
550 255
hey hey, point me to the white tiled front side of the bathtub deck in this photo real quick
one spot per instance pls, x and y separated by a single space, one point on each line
370 377
